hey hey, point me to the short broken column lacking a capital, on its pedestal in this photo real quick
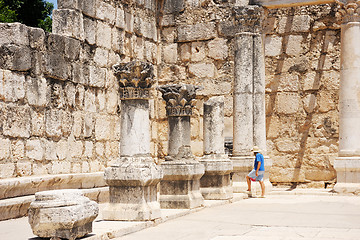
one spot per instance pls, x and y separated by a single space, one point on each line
215 184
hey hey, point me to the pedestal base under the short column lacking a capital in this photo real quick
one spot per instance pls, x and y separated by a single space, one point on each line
215 183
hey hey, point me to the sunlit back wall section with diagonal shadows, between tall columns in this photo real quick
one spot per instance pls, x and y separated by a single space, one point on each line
302 48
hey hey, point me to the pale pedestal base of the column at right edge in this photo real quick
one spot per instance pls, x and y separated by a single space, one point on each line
348 175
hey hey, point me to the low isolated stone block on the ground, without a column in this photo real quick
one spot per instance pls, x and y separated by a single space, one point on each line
62 214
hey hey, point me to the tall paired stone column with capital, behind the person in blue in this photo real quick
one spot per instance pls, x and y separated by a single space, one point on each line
249 126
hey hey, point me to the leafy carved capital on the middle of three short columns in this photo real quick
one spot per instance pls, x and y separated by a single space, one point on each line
180 99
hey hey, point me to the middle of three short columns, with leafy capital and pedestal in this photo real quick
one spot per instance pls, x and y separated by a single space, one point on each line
180 187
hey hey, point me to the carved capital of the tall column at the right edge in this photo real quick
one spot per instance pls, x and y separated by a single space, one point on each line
348 11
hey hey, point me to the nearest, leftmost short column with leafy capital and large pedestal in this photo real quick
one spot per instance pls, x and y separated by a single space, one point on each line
133 178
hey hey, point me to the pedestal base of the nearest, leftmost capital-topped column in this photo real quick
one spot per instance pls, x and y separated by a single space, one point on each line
133 194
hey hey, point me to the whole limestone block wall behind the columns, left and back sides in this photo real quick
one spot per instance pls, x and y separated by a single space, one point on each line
59 106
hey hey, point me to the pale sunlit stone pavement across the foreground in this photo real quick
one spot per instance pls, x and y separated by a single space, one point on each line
300 214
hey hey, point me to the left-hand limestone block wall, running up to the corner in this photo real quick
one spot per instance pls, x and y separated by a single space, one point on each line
59 107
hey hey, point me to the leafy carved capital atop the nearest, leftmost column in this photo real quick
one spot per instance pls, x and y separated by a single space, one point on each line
135 79
